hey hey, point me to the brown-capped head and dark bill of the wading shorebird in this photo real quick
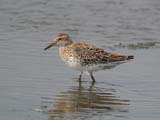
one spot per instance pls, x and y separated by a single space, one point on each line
60 40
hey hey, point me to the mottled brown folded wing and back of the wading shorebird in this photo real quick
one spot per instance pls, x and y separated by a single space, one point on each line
89 54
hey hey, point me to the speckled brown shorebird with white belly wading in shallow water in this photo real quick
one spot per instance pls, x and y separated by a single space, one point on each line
85 57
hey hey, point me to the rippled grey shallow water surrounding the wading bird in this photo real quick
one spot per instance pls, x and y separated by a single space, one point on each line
35 84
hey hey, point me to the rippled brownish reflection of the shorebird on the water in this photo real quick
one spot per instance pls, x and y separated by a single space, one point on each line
81 99
